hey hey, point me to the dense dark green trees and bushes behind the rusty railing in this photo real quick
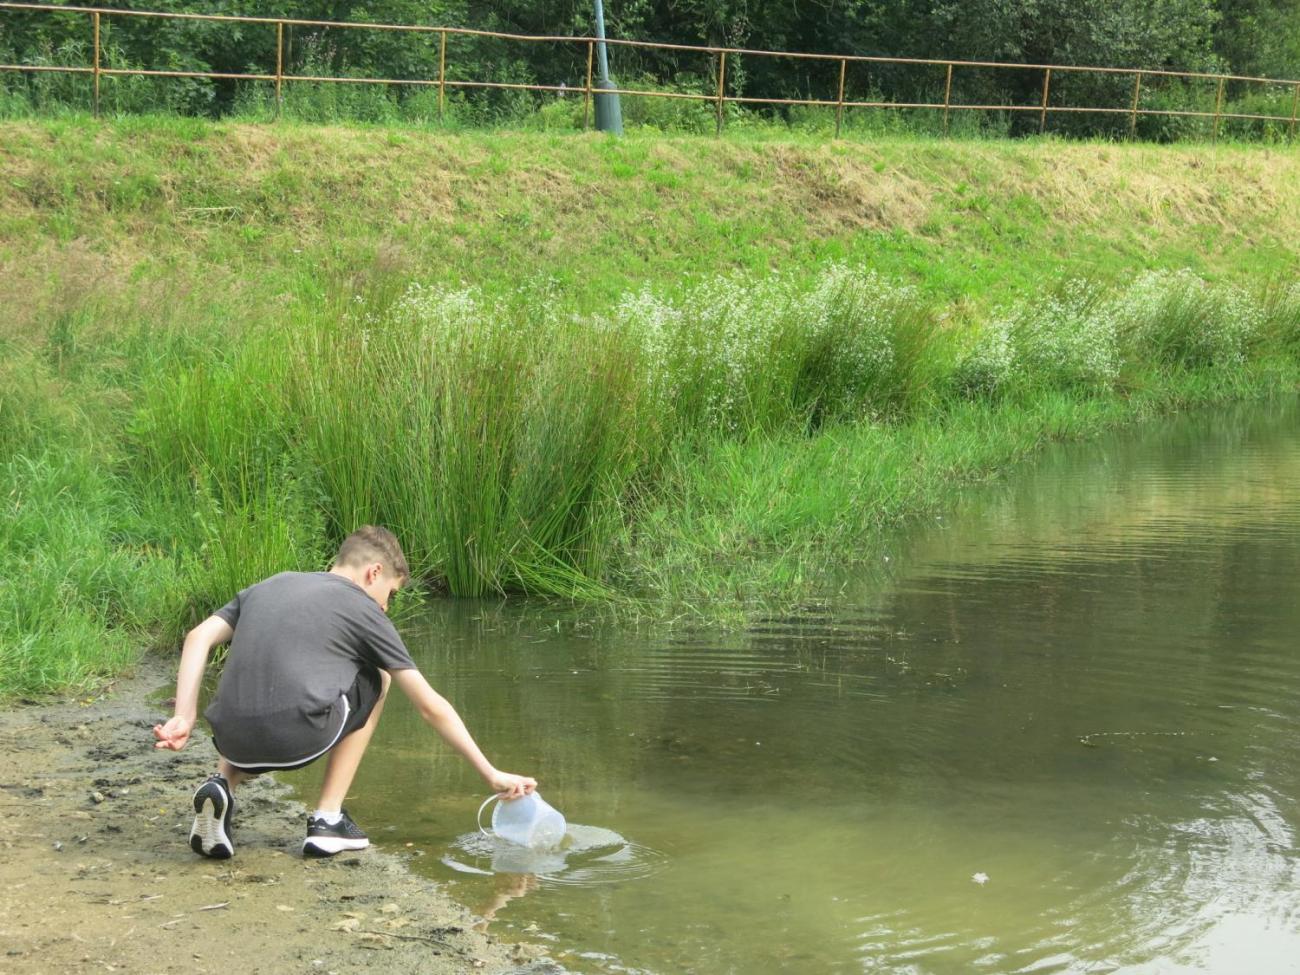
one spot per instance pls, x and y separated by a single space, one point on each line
1256 37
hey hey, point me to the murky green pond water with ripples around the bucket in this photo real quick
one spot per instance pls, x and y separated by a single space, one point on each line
1056 731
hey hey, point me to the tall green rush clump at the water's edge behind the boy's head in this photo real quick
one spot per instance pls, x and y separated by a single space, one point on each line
499 439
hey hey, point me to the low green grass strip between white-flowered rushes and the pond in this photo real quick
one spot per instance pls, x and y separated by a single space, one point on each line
772 522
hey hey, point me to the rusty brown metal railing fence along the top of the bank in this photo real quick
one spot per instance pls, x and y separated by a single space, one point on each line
717 97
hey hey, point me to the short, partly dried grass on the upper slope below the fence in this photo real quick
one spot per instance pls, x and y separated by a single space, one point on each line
248 214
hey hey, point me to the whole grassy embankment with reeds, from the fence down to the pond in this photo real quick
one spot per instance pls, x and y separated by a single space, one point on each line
682 370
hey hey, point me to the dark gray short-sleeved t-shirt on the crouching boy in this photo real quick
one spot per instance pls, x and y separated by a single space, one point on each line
301 640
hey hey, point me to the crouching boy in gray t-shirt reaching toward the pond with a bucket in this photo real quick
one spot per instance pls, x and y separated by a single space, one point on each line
311 660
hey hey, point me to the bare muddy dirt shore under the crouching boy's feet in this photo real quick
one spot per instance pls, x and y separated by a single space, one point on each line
97 876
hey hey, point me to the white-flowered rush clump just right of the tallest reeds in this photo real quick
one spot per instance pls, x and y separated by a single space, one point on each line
742 356
